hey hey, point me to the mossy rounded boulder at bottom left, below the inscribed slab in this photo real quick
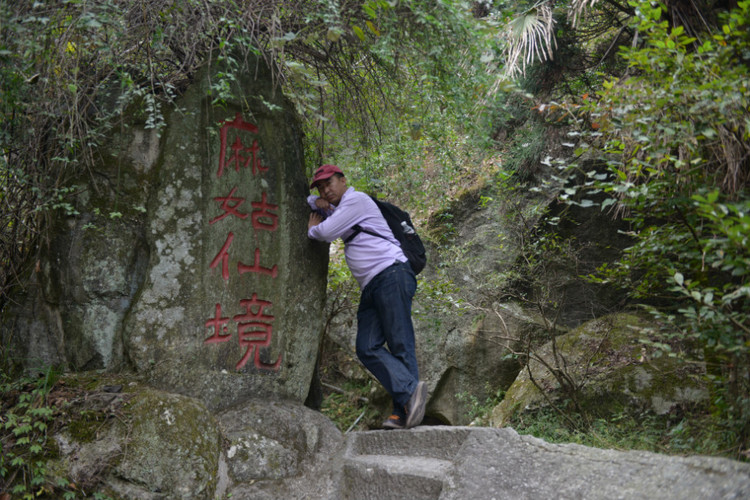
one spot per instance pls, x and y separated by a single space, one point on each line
162 445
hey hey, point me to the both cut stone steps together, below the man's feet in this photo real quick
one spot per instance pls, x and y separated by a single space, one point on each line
414 464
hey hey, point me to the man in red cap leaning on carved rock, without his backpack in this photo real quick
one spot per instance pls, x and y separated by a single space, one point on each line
387 285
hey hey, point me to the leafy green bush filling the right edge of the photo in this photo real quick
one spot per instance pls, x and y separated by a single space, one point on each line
674 134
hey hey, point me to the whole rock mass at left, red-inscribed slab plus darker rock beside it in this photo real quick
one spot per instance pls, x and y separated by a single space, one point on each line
186 257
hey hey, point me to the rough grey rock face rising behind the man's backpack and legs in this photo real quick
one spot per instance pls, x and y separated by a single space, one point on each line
492 258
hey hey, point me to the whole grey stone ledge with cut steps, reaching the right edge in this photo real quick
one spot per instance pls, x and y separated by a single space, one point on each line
459 463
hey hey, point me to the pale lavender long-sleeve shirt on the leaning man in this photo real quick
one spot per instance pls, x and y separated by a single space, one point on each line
366 255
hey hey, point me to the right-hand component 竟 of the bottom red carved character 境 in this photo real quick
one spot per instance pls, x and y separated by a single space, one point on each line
255 329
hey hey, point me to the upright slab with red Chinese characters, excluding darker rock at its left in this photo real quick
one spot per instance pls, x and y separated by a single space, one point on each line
232 284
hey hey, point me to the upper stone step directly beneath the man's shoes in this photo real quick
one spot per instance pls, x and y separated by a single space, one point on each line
432 442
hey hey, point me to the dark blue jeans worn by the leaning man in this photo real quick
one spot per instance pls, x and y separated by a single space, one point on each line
384 318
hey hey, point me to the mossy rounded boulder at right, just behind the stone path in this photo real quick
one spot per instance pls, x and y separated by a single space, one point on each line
607 368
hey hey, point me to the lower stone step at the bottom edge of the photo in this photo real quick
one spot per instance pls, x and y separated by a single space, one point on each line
384 477
